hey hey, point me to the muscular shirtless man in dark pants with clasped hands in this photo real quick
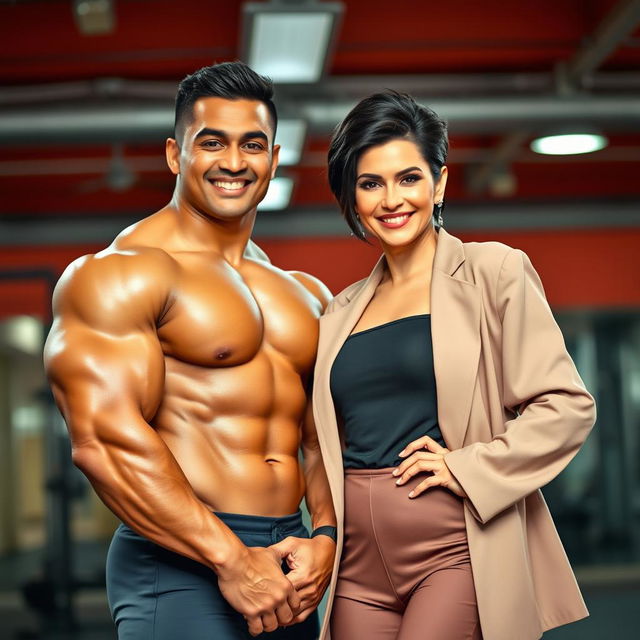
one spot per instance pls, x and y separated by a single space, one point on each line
180 358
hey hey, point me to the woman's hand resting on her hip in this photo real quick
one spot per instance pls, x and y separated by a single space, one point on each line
425 455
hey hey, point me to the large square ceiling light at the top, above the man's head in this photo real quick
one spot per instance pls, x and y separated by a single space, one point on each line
290 42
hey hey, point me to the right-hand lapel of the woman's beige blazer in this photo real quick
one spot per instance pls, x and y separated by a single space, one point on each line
455 329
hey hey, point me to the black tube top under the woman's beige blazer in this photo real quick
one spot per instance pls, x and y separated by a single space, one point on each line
384 388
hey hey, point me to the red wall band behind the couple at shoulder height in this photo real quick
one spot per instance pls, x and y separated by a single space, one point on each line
595 268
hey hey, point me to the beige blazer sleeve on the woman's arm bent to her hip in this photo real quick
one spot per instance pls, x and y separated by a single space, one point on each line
541 387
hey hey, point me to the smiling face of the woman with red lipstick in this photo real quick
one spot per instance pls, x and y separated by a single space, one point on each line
396 192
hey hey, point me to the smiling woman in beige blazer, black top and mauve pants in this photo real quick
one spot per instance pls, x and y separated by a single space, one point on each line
444 399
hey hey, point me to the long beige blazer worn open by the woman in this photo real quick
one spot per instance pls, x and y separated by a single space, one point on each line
512 410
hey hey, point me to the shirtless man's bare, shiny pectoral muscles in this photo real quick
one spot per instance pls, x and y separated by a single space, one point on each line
218 317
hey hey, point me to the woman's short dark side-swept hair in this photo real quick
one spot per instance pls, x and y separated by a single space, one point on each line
376 120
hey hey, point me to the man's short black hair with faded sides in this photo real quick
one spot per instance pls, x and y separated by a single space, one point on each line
229 80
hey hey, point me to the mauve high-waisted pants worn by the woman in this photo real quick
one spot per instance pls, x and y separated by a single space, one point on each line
405 572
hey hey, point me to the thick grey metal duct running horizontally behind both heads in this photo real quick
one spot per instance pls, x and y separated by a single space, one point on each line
151 121
